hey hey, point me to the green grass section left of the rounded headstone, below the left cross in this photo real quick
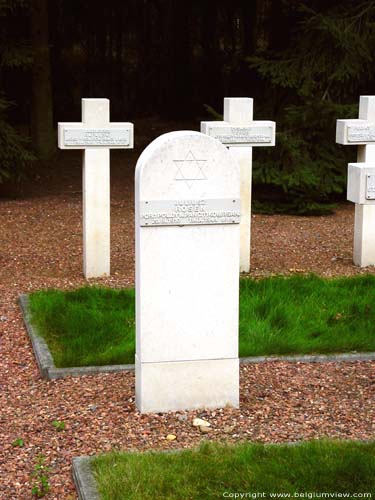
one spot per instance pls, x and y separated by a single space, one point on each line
86 327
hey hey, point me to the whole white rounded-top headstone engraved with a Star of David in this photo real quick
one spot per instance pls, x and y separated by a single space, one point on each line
187 207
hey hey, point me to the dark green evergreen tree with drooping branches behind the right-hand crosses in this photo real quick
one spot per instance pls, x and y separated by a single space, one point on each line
315 80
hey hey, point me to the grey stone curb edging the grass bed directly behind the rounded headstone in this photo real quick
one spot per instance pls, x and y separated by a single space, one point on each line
49 371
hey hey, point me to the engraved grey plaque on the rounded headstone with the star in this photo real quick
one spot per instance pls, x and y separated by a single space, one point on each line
189 212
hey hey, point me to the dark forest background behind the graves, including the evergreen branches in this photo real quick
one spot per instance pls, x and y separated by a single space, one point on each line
304 63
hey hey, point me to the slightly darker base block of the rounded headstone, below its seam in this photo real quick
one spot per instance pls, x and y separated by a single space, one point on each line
186 385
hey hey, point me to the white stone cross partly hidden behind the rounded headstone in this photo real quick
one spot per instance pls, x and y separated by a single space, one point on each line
240 134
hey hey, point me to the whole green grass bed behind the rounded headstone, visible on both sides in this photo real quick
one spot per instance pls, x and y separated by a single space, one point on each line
293 315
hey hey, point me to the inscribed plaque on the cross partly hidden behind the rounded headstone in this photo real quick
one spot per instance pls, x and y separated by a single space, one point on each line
241 135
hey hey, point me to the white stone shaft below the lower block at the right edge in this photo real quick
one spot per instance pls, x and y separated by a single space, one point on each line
364 235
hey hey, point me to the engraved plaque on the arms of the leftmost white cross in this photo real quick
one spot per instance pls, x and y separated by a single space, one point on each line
96 137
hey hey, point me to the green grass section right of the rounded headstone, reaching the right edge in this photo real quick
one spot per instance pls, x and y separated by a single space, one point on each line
302 315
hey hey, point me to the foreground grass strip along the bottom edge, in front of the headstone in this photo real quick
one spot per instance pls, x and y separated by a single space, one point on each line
215 469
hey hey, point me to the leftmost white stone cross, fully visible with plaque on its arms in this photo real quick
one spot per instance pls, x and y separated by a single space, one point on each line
96 135
